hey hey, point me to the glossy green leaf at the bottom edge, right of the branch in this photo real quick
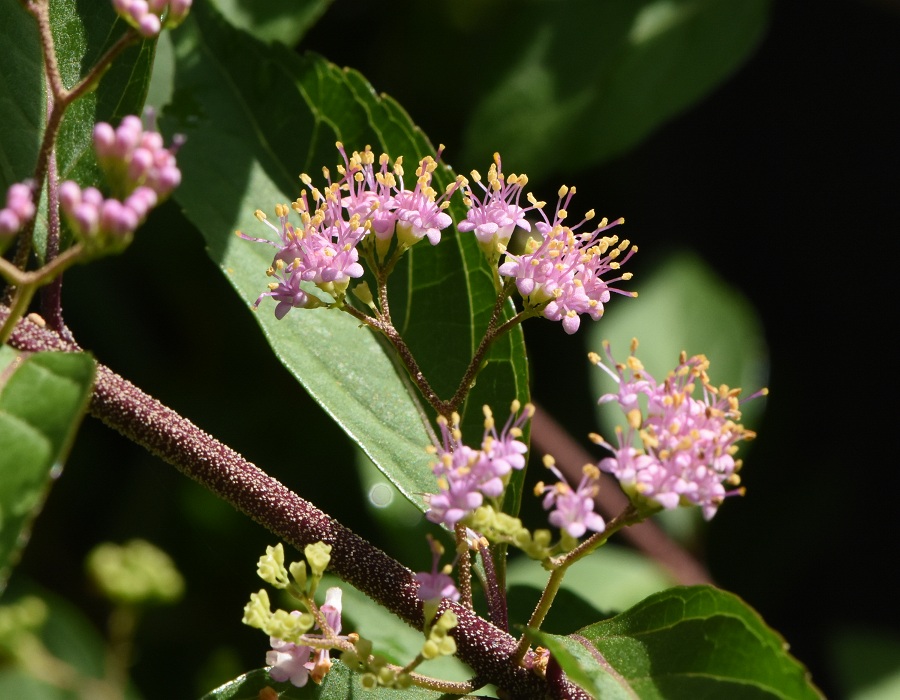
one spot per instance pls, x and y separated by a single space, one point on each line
686 642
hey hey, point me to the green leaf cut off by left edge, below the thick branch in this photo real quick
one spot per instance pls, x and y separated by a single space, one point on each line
42 399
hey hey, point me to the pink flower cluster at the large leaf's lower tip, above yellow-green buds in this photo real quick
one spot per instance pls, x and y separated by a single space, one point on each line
467 476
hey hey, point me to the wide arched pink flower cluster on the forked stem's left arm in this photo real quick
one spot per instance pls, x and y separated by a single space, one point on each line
323 250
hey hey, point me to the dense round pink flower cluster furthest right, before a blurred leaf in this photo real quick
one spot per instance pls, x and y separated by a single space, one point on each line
687 442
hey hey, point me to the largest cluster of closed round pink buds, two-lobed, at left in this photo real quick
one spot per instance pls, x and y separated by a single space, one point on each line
139 168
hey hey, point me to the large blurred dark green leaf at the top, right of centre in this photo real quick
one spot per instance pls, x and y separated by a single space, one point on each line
641 63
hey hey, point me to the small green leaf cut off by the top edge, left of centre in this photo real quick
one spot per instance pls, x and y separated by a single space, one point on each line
286 21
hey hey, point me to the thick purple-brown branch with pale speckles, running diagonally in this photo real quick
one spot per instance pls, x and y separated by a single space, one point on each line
143 419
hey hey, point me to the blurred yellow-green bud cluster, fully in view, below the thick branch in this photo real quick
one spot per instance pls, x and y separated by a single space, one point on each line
133 573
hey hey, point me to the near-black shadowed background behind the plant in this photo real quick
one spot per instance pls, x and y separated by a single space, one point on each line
784 179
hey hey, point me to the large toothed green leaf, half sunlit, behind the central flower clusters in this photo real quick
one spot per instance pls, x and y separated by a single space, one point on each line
256 116
